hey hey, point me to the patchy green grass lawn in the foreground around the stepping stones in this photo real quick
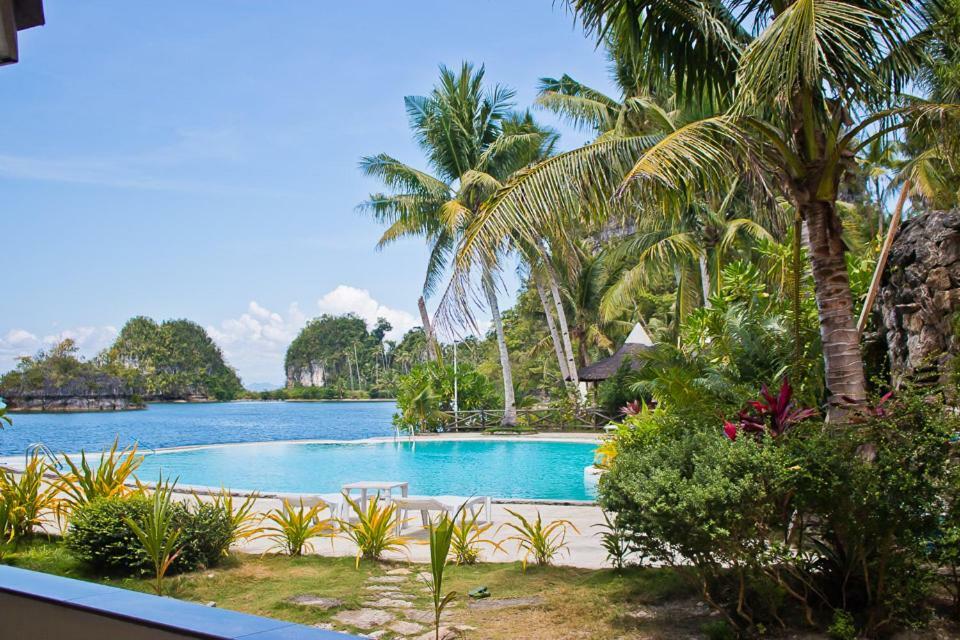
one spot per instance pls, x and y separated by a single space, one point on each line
572 603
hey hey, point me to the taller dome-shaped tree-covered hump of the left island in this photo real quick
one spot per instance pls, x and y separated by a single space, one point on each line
174 359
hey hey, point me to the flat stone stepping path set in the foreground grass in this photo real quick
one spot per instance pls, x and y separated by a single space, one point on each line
388 610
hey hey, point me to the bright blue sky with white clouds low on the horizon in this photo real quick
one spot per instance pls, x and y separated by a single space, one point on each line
198 159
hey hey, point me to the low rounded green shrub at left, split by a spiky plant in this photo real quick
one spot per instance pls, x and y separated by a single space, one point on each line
99 535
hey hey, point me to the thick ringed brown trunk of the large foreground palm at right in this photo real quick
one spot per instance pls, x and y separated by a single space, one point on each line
843 363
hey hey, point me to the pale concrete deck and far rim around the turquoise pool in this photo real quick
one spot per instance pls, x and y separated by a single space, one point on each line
583 544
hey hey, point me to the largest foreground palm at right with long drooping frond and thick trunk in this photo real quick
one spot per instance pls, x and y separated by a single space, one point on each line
805 86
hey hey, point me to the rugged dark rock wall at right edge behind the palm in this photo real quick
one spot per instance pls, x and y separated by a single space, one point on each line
920 296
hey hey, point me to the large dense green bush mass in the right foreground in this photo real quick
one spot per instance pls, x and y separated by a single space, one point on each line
828 516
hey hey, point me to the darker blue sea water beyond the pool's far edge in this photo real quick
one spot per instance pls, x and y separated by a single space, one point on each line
174 425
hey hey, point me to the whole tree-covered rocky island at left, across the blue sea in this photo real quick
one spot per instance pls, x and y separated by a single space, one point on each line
174 360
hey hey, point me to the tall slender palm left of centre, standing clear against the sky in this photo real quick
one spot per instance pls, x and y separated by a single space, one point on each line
472 143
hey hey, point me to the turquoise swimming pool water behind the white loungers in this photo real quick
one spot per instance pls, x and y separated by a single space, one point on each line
528 469
